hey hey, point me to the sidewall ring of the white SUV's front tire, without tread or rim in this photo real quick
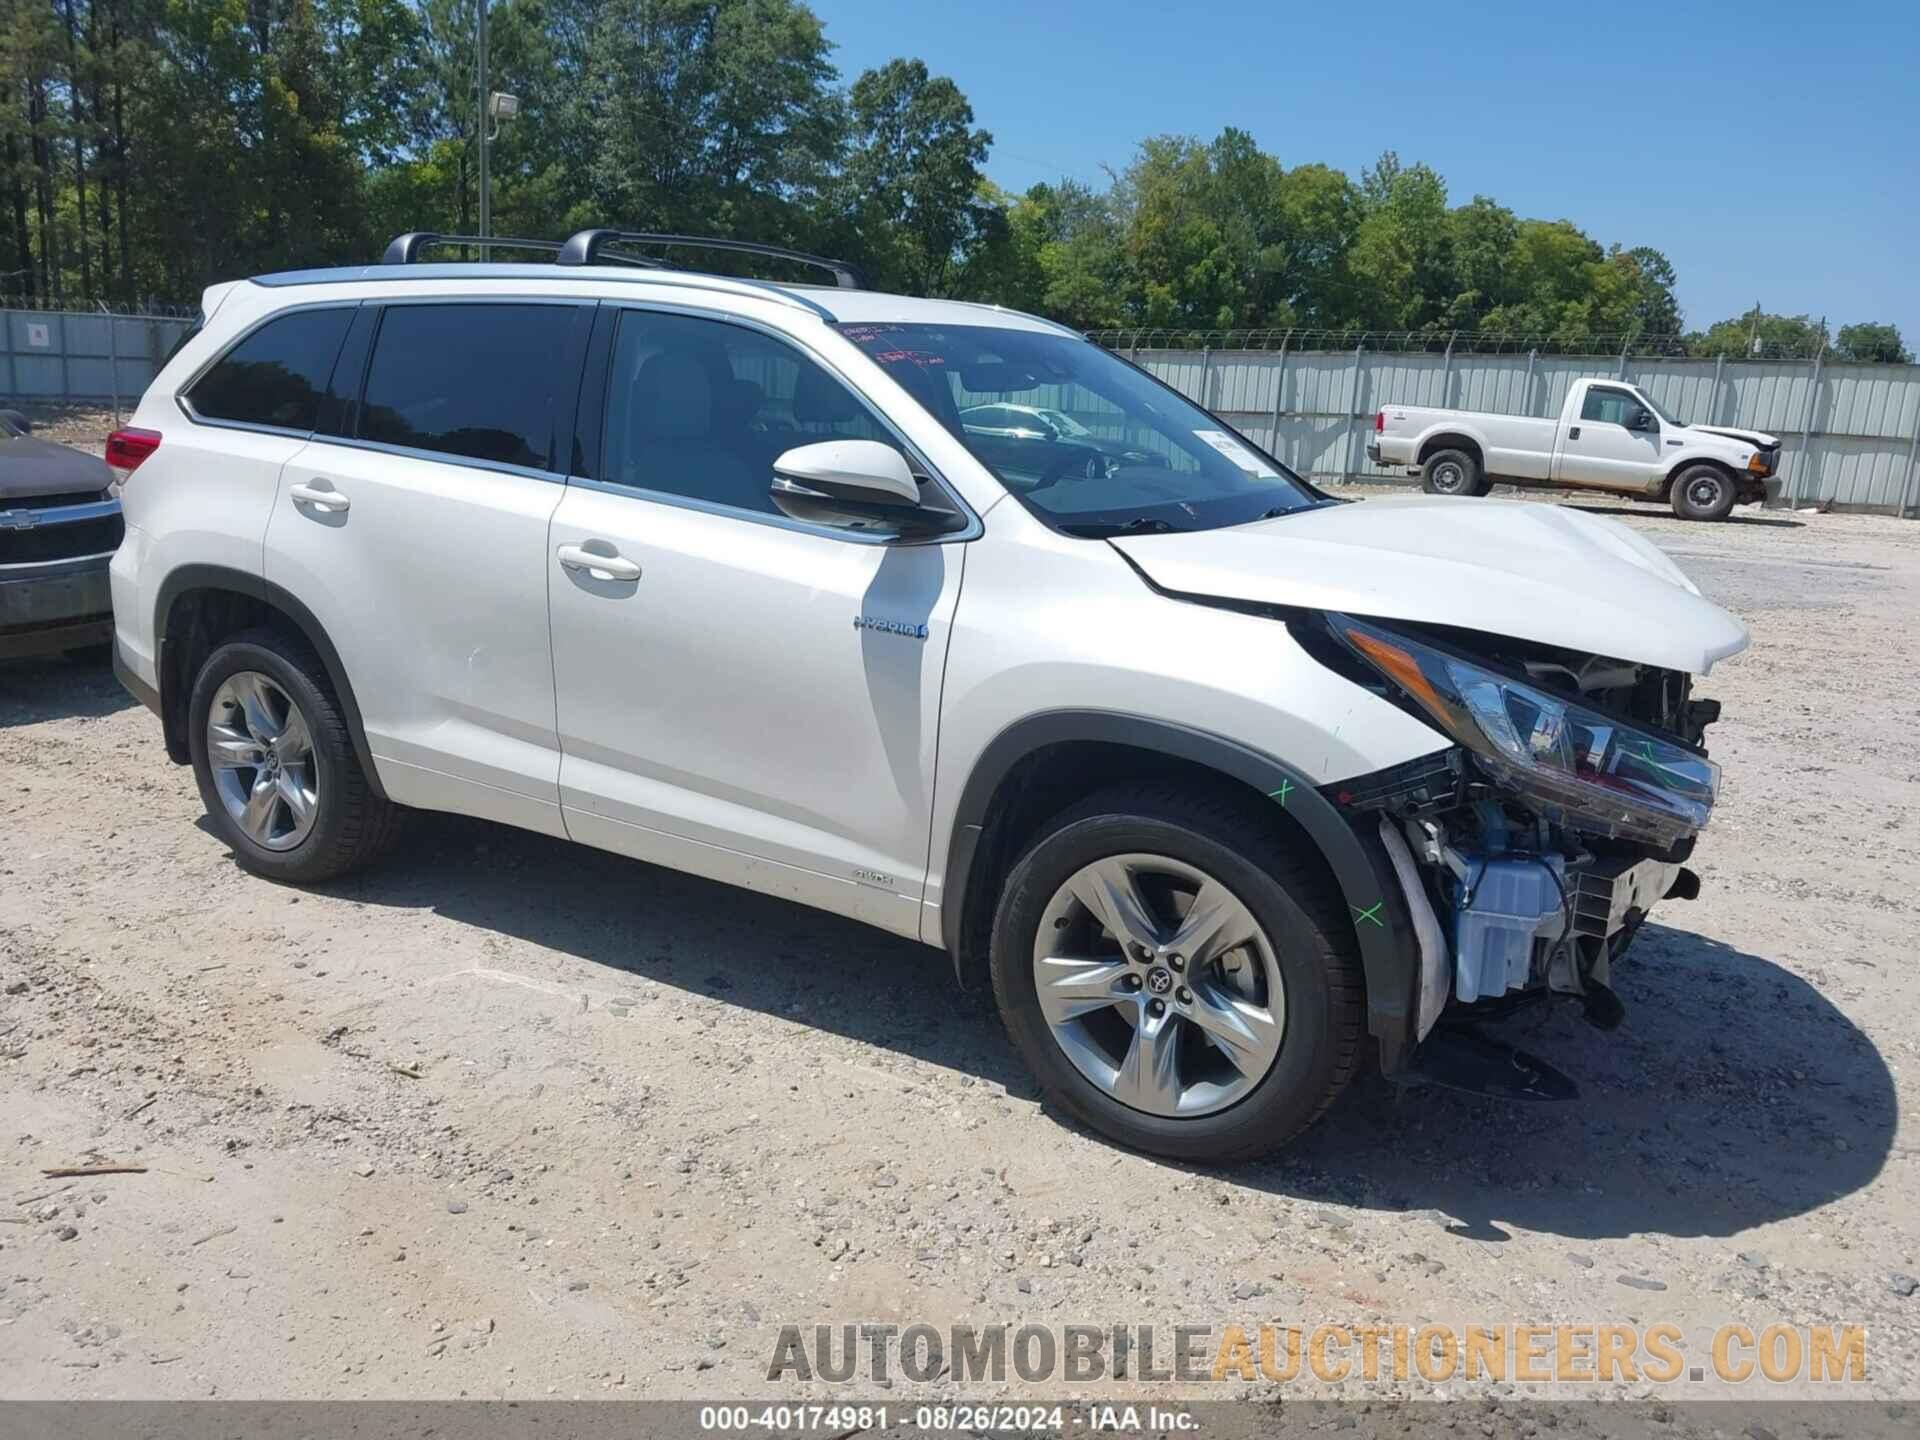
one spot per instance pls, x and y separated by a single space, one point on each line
1291 1093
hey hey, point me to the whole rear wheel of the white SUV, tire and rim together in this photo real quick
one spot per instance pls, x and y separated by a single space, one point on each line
277 767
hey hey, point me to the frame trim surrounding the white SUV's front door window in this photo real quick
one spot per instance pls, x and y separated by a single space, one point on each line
594 412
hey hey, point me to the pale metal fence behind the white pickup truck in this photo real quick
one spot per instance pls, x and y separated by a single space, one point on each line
1852 433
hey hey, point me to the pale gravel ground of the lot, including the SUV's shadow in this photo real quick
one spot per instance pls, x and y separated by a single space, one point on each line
516 1118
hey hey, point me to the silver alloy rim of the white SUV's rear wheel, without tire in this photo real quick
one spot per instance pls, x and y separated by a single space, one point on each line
260 752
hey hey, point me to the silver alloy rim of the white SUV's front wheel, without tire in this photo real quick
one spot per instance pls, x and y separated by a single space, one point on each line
1159 984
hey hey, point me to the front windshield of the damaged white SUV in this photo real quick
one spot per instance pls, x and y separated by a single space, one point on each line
1082 439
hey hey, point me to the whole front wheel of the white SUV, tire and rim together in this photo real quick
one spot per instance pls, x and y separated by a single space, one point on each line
1178 976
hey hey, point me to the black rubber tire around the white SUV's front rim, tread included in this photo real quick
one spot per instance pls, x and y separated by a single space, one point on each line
1291 898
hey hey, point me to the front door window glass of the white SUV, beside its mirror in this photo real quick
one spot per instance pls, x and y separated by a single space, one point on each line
704 408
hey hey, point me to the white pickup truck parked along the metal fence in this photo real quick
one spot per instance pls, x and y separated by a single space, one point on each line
1610 437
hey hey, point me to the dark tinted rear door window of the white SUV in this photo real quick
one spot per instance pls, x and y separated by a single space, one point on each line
475 381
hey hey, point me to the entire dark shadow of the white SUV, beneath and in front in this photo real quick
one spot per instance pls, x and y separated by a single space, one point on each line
1733 1097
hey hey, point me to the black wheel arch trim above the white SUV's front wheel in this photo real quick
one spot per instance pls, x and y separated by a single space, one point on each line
1353 853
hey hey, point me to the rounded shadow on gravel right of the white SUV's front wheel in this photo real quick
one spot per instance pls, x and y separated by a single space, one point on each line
1733 1097
